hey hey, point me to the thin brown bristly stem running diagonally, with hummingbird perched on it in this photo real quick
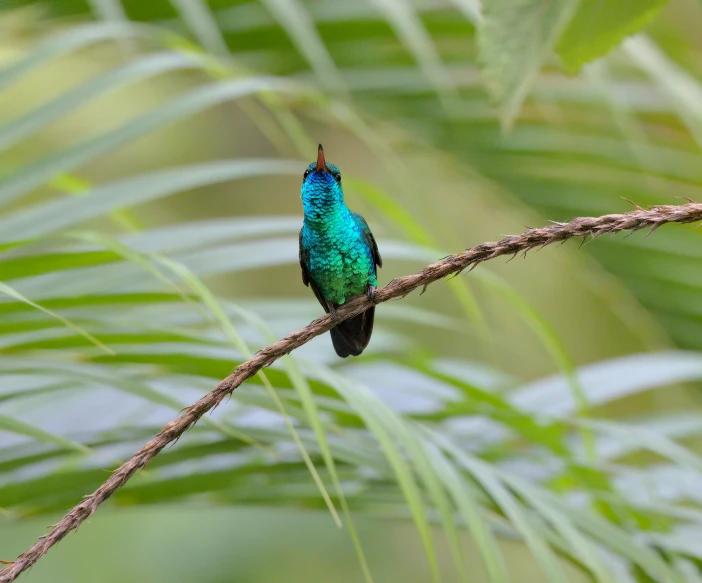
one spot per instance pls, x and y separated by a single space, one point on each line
398 288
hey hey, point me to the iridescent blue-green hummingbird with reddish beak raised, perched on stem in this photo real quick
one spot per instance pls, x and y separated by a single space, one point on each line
338 254
